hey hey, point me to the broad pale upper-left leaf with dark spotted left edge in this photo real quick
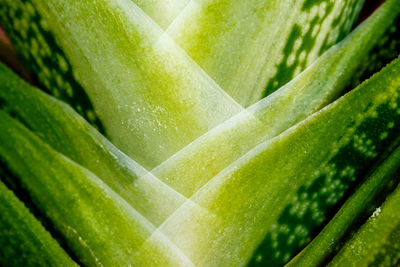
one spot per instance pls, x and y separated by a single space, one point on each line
109 58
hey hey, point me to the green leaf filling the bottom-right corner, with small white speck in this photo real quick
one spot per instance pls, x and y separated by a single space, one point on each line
377 242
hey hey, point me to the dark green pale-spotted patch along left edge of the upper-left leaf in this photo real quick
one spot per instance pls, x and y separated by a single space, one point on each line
47 61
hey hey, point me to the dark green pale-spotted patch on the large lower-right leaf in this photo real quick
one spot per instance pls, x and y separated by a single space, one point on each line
348 159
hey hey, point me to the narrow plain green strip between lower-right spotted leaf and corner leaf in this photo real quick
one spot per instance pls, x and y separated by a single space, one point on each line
377 184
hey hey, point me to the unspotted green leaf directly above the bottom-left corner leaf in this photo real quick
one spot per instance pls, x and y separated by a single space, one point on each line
99 227
